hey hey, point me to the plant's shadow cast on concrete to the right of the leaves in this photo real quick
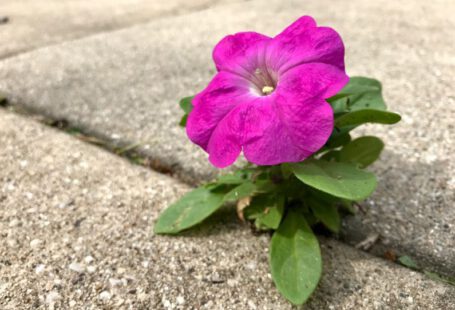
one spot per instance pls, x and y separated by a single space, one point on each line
412 210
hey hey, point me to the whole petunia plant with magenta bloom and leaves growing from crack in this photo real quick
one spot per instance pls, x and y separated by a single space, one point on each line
288 105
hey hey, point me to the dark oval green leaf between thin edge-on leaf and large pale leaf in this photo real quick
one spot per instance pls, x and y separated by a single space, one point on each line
363 151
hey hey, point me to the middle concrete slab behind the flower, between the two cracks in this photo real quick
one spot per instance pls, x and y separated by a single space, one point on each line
125 85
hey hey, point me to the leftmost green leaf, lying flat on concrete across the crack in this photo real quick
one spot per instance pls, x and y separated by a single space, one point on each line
190 210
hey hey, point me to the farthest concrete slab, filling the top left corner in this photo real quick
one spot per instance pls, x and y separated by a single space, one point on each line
36 23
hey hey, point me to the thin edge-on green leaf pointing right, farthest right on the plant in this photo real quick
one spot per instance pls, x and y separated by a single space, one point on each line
359 117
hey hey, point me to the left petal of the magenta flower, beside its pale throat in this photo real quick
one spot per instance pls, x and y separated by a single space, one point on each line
223 94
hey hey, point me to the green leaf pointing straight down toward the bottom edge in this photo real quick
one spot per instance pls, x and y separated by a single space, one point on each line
295 259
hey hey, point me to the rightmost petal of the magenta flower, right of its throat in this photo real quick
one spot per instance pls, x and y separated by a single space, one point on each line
314 79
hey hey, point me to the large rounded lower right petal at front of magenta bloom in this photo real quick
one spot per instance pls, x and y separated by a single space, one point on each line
286 128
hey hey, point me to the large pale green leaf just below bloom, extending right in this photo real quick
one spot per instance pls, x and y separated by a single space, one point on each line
341 180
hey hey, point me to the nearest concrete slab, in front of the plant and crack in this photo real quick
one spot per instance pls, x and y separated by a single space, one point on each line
76 224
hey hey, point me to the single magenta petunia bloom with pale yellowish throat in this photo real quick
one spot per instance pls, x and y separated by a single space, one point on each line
268 97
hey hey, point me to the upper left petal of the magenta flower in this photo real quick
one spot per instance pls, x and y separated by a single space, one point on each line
234 52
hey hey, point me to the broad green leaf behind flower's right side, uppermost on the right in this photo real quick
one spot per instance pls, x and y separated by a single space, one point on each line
360 93
